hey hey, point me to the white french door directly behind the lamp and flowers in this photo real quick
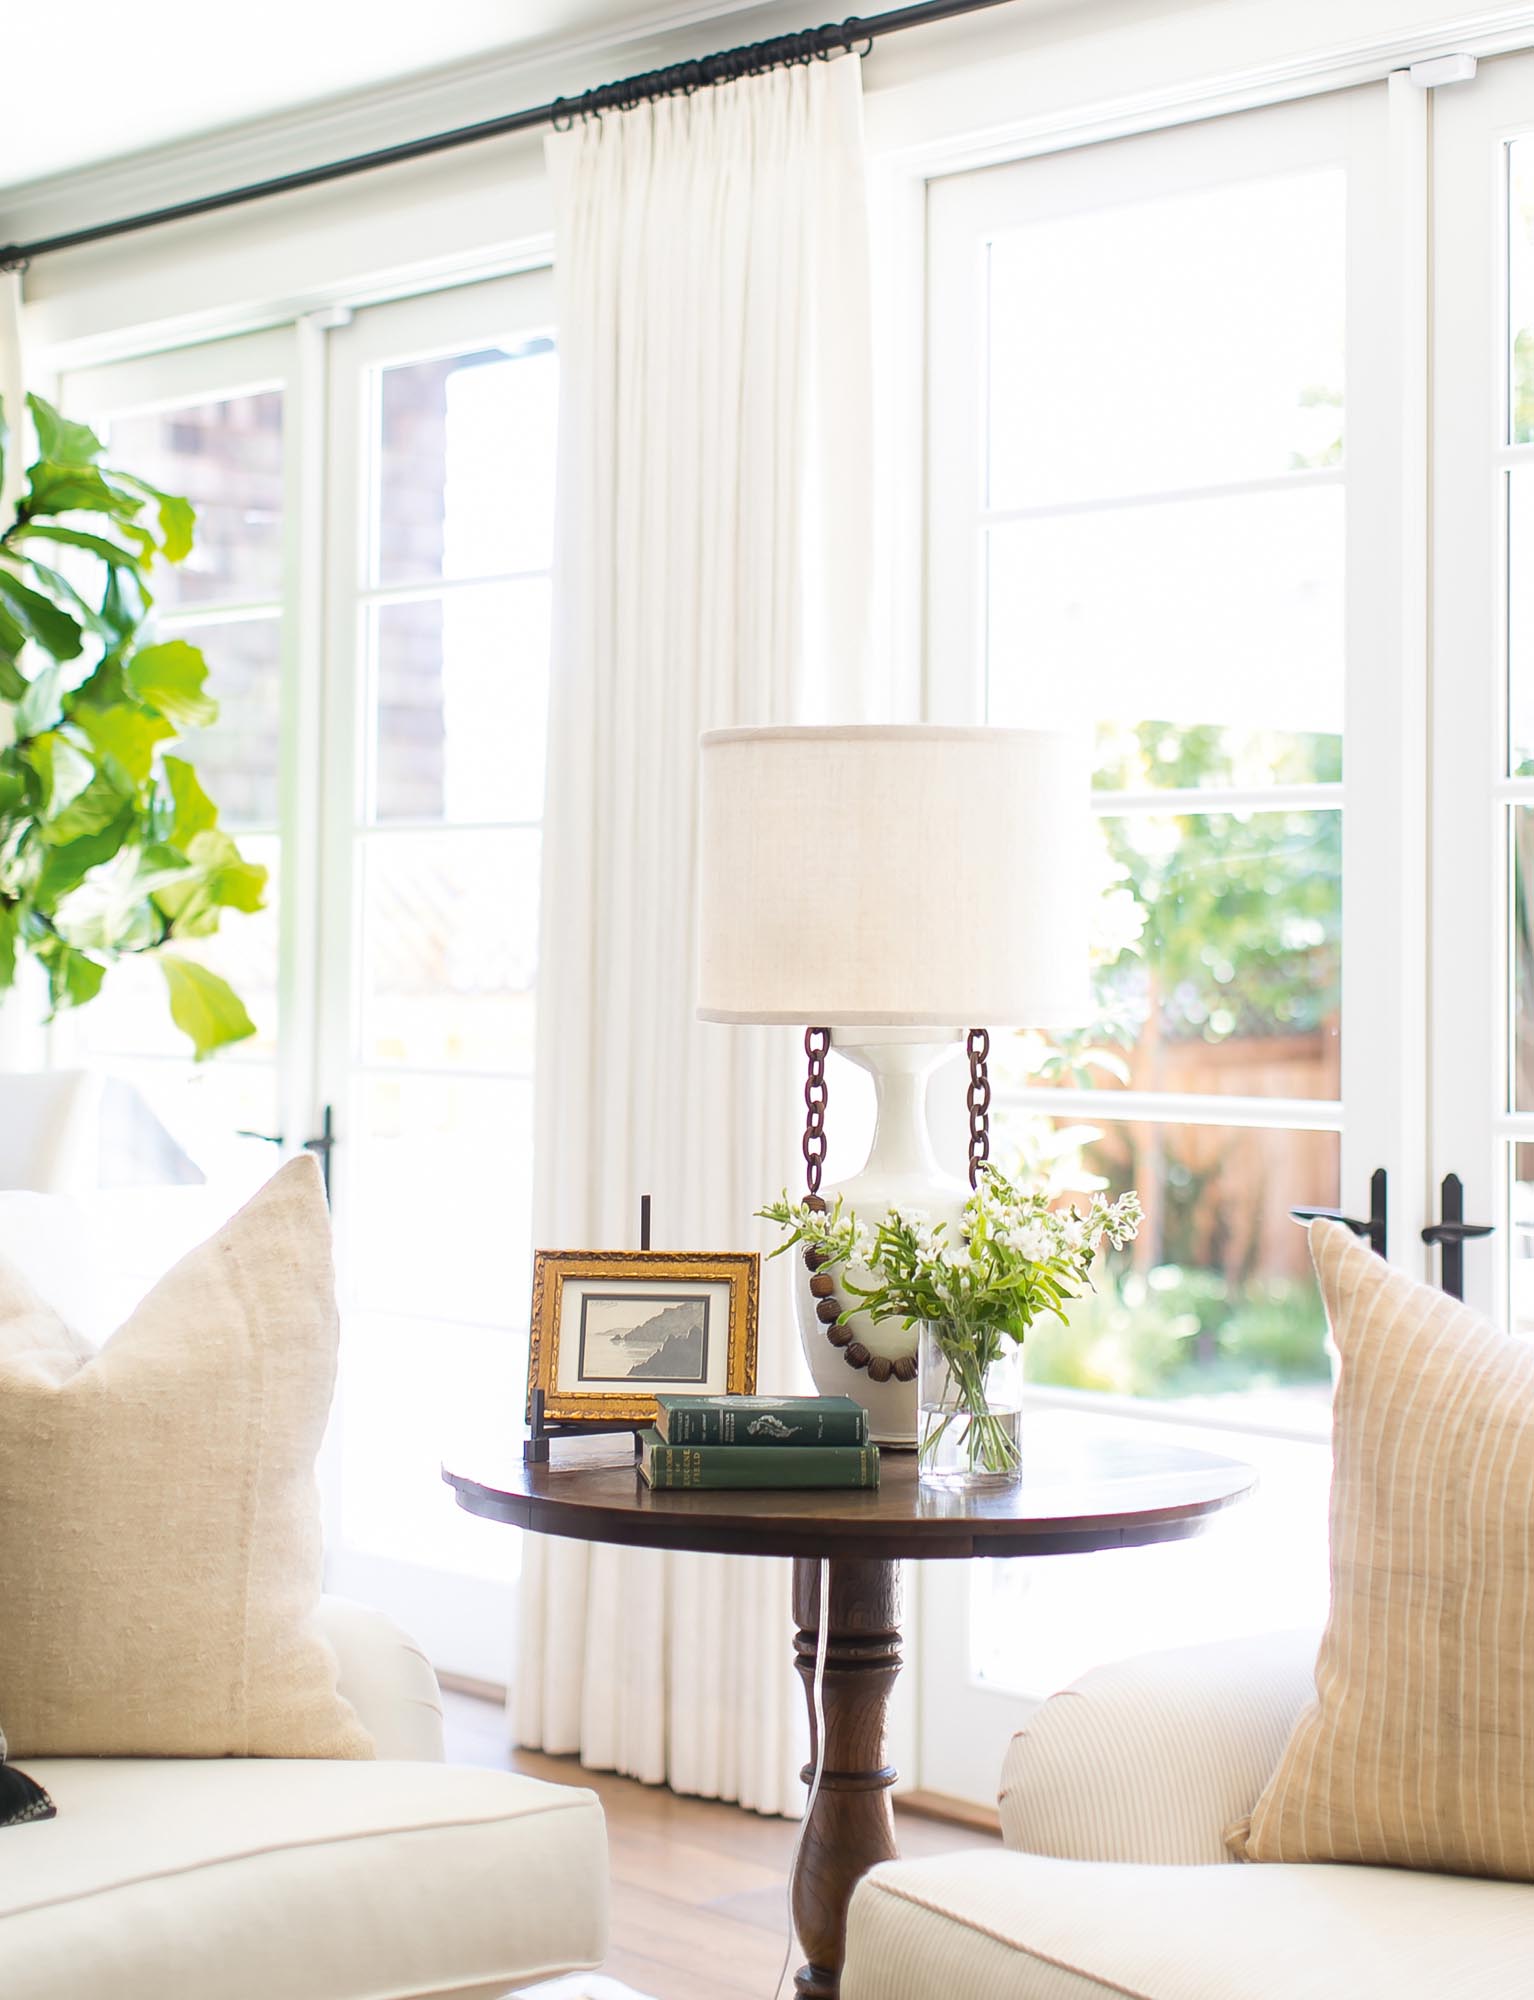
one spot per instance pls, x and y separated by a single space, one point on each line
1171 449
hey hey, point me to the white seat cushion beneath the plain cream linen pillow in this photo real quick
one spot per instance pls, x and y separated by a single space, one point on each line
311 1881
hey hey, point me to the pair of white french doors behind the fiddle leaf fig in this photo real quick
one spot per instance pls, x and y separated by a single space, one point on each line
371 589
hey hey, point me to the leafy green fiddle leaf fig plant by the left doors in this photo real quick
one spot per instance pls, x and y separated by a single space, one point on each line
109 843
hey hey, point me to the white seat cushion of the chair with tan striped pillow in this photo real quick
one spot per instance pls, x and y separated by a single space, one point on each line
1019 1927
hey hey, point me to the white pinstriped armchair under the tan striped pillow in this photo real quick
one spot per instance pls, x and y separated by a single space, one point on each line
1117 1883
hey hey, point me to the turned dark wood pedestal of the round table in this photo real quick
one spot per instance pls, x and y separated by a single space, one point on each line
853 1823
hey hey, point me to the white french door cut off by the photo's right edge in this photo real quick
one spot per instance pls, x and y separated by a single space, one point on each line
1483 679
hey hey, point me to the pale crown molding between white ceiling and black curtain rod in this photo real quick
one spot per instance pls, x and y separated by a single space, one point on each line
385 115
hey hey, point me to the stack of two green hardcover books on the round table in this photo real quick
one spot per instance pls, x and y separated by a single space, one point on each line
759 1441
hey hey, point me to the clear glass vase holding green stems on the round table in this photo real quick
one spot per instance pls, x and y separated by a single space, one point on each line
969 1407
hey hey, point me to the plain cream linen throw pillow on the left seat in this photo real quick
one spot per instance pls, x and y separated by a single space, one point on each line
159 1513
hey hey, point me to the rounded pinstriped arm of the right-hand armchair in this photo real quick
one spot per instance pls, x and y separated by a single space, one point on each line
1149 1761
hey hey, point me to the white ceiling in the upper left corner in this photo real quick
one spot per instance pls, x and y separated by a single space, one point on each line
93 81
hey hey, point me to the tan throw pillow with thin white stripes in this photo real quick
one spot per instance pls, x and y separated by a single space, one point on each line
1419 1749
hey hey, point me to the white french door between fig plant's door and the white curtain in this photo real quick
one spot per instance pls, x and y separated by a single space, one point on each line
443 443
